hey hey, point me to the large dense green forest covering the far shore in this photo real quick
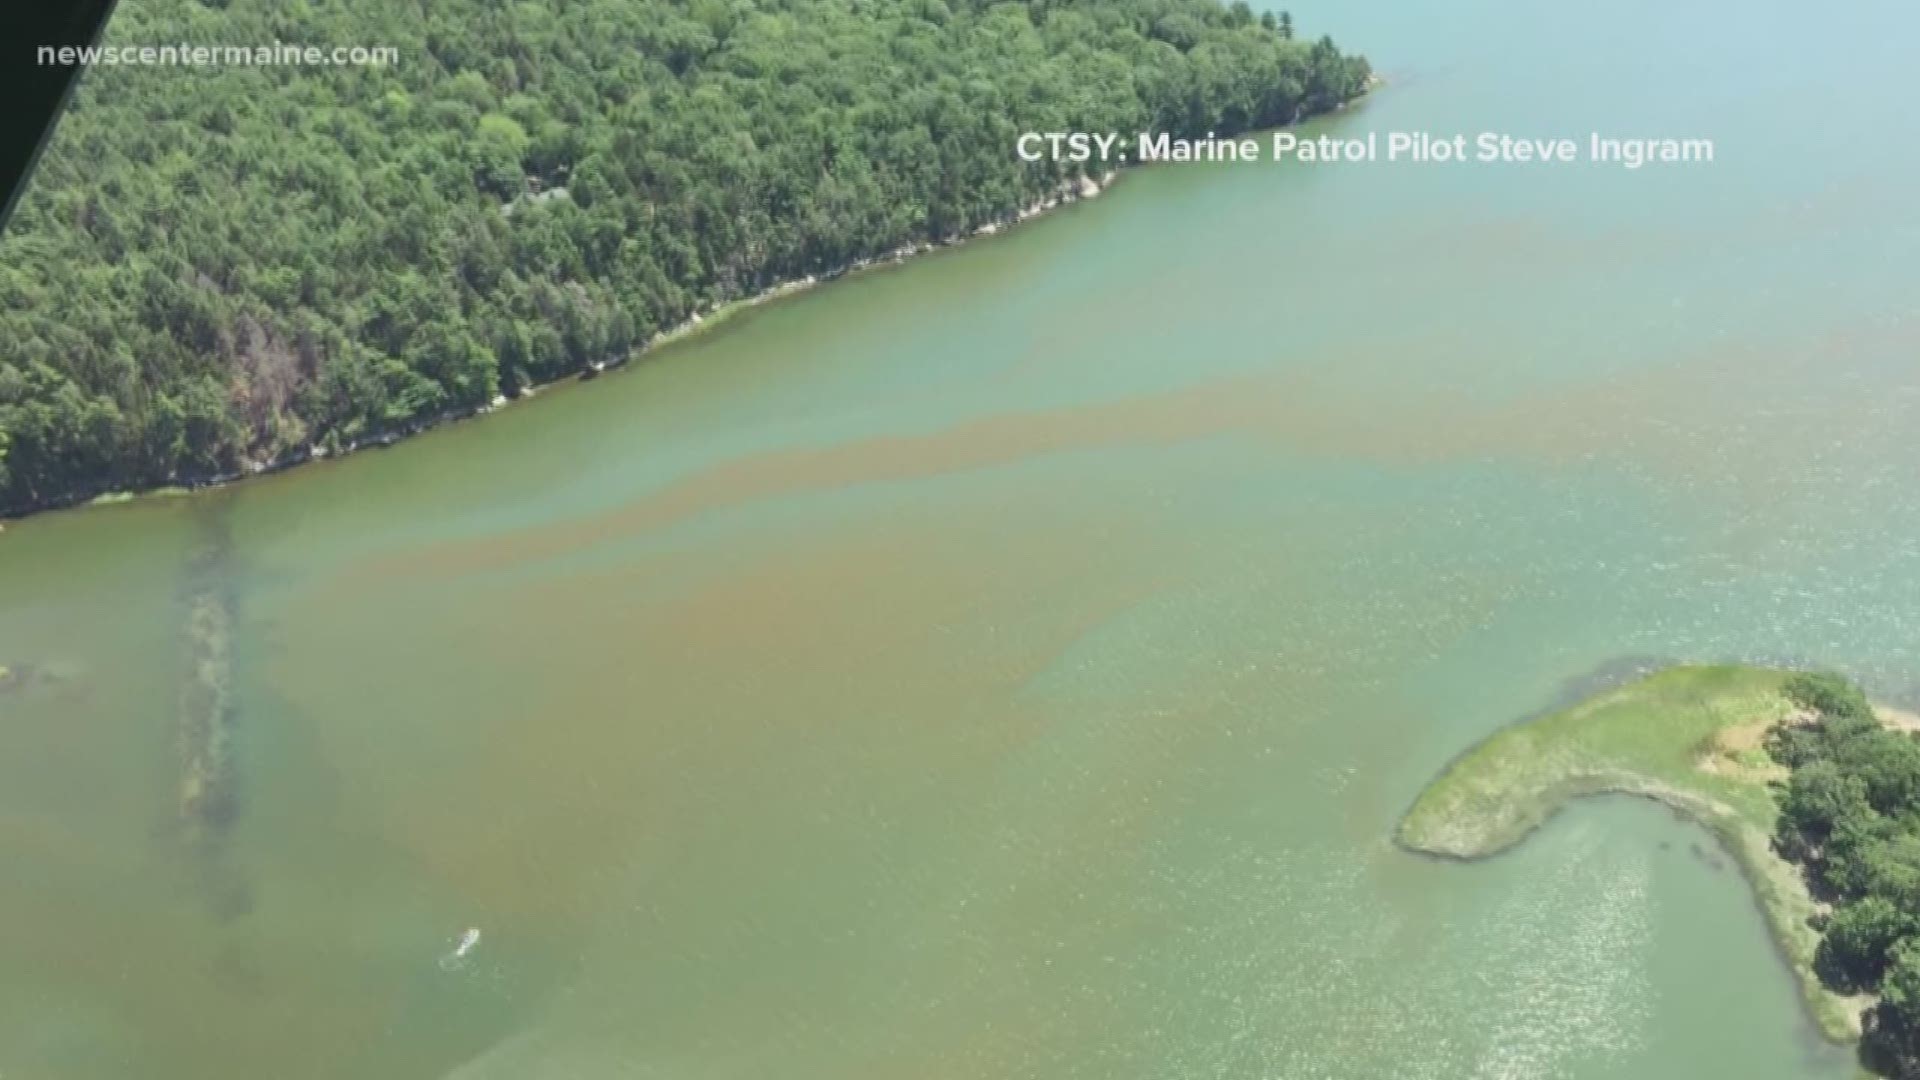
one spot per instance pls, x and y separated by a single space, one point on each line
220 268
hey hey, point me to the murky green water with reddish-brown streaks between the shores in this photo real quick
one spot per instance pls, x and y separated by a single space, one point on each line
1015 664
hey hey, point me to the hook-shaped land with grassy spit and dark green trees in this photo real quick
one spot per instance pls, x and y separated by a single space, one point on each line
1810 787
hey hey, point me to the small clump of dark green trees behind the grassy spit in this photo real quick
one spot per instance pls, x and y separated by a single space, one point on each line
1852 816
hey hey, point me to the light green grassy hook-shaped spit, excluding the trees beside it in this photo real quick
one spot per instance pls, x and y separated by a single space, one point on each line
1691 737
